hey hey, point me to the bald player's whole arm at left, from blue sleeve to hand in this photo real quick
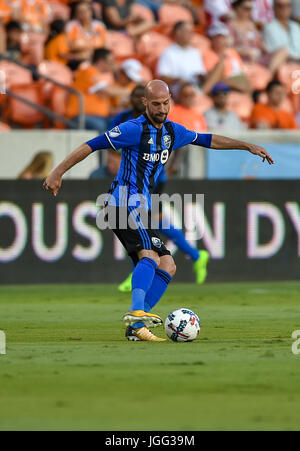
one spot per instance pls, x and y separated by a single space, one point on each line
127 134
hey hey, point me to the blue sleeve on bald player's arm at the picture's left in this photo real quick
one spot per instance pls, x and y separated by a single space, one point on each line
124 135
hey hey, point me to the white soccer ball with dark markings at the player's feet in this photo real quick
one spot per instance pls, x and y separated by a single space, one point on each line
182 325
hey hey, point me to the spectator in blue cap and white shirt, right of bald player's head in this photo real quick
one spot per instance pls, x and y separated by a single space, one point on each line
220 117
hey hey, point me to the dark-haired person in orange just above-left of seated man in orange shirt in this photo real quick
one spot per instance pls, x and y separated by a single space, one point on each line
57 48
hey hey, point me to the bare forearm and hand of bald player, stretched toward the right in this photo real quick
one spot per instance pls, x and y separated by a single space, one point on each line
224 143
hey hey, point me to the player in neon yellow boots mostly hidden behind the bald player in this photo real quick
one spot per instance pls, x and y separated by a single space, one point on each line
200 258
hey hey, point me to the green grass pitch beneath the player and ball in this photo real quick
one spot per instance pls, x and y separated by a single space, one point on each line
68 365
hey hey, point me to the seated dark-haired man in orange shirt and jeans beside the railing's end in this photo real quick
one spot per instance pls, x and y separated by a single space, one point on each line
97 90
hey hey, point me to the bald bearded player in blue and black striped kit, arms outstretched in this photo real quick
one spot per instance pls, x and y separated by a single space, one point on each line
147 143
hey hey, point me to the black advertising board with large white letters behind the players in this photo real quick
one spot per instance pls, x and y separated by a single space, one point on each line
252 230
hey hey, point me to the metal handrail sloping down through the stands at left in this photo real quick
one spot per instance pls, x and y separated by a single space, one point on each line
46 111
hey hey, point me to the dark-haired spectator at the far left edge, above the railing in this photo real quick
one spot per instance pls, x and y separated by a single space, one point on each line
11 47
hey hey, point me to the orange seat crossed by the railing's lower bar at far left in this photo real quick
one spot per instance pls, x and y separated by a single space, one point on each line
17 112
